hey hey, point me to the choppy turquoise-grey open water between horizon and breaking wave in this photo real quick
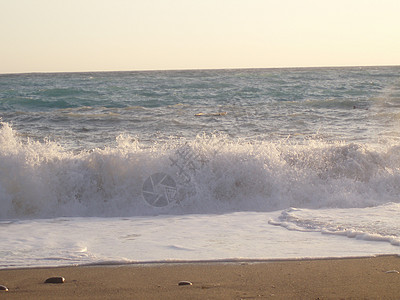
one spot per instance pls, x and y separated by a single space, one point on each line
88 110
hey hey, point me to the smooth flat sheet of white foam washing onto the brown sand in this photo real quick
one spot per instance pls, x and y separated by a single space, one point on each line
234 236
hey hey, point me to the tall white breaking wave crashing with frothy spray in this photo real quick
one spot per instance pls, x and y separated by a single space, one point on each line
212 174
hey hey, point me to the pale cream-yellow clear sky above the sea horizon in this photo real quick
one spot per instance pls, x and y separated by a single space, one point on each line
122 35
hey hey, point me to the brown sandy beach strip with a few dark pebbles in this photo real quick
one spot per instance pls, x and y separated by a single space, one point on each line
349 278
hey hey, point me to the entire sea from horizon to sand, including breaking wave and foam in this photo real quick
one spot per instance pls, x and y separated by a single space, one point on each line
199 165
